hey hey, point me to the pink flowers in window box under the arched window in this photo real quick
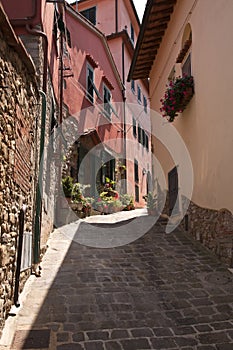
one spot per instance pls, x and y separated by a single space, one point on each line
178 94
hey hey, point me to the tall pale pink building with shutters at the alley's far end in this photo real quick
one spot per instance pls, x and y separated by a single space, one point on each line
119 22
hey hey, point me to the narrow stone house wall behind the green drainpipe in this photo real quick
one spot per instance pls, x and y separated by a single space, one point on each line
34 46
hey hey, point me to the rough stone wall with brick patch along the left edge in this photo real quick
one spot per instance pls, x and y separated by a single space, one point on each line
18 111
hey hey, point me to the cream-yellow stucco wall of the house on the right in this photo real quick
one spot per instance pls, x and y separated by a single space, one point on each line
207 124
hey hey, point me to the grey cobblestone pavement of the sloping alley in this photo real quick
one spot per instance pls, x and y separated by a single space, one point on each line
163 291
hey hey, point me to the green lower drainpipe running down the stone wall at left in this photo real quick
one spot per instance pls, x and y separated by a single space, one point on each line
39 188
